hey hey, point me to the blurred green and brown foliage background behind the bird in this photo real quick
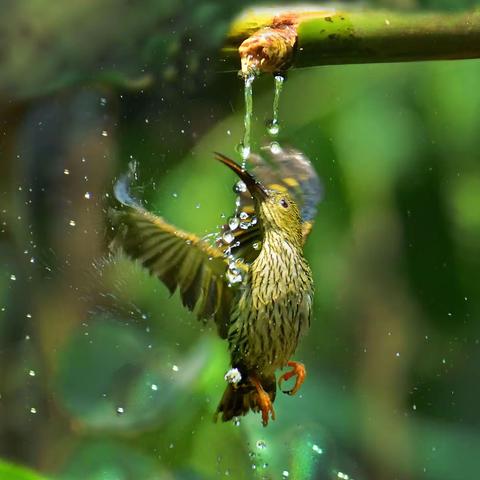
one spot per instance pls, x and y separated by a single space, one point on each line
104 377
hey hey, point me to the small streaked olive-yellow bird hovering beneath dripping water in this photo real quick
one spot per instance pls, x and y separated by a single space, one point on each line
254 281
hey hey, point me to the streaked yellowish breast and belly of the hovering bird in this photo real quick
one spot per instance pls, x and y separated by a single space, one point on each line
273 310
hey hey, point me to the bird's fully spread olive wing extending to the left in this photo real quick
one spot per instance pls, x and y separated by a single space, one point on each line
181 260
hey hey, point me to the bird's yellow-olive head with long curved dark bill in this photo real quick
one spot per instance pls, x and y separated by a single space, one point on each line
276 210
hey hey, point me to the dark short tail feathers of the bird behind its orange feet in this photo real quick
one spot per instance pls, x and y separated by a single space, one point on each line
238 400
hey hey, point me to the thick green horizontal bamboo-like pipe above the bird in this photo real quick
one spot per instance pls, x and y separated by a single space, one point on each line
342 36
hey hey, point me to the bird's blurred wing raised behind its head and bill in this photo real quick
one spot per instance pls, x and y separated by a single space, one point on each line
288 170
